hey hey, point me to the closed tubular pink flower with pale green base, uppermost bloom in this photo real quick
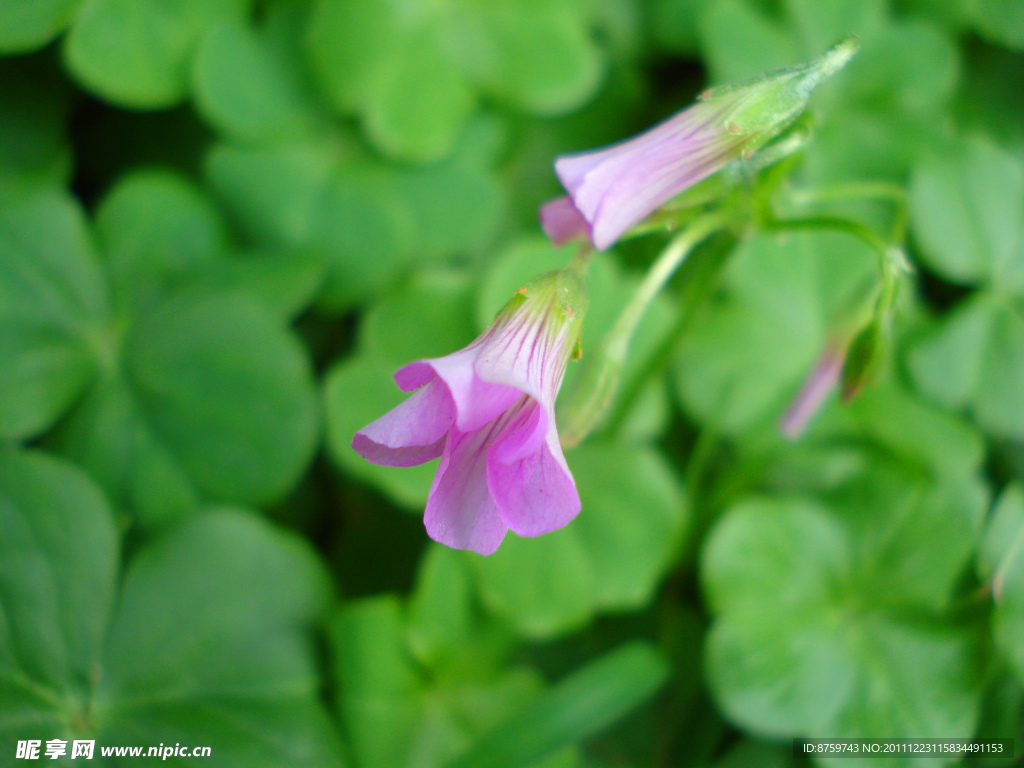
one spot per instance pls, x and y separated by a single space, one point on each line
615 189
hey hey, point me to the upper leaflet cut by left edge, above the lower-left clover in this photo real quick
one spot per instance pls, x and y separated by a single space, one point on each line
54 312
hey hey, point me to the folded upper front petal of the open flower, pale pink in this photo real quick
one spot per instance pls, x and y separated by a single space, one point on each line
477 402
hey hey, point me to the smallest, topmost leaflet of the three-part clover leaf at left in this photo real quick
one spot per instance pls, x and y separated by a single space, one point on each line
158 232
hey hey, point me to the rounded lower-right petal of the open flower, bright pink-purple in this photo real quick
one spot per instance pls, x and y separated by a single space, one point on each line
535 494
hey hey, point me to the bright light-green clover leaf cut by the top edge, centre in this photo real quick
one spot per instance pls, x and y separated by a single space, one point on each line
414 78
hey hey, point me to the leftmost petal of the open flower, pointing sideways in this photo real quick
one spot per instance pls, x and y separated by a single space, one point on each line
413 433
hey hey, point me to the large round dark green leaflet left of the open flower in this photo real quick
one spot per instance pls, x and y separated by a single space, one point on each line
230 392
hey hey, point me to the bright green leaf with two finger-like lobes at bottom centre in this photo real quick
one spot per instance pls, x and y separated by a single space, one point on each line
480 714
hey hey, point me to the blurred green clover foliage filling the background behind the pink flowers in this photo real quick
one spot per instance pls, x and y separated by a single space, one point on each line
225 224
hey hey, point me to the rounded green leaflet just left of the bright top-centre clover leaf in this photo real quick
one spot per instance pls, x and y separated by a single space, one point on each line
250 90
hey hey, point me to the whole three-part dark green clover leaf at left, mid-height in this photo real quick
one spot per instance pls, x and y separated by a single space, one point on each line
181 393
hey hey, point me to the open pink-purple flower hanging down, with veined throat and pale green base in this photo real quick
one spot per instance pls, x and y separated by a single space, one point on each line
489 412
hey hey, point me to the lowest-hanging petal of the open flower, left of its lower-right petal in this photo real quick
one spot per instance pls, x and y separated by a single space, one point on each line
460 511
